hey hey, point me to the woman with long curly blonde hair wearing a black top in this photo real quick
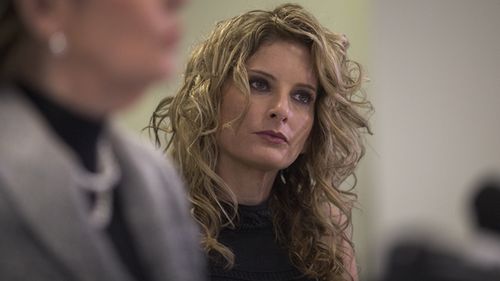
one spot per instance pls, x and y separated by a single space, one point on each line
266 127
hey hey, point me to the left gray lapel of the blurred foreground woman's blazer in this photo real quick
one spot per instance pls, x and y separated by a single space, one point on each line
37 167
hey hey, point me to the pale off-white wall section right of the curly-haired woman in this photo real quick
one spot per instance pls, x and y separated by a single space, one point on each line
436 86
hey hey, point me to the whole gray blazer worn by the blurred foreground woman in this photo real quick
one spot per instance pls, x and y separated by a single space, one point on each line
44 233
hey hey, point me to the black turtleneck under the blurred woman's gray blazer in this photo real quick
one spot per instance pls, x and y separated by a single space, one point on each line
81 134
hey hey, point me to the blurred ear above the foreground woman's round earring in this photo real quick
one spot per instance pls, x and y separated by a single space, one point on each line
43 18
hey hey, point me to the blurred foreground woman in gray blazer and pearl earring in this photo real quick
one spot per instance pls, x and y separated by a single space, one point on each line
79 198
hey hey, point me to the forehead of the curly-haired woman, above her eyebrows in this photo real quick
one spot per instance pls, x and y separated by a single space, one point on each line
284 59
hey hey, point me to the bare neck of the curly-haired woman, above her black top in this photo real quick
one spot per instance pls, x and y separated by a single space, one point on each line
251 186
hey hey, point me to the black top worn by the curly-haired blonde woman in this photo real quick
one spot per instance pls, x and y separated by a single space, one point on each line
258 257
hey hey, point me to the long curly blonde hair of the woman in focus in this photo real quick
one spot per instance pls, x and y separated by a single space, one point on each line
186 126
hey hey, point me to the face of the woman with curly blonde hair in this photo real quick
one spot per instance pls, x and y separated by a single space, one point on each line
280 116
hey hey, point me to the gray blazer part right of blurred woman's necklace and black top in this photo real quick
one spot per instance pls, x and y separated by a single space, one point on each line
157 215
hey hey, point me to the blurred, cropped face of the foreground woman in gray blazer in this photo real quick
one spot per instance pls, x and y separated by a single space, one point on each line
131 42
